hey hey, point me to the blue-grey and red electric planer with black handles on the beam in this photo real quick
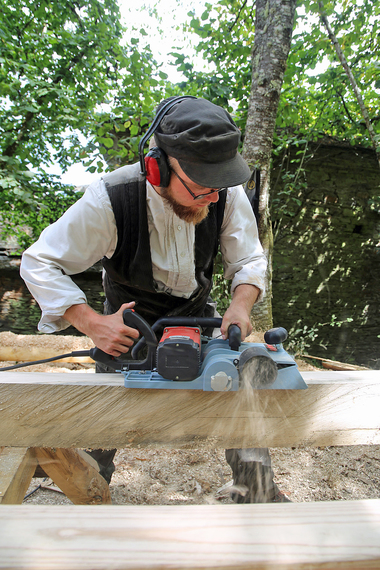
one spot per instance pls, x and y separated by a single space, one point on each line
184 358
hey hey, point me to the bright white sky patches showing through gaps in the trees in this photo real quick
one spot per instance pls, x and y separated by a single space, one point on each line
173 13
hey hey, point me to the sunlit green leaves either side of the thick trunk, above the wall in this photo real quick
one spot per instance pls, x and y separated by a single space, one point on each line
316 99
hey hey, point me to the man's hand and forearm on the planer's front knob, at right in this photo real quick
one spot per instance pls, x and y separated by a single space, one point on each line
238 313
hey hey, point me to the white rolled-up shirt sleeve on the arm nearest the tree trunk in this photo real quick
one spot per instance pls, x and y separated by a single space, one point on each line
244 260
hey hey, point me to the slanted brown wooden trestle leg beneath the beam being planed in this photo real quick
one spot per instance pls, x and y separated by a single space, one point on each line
75 475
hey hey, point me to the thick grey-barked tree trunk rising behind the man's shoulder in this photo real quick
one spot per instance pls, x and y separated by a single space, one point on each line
273 34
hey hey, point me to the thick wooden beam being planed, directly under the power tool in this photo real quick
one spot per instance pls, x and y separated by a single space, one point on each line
82 410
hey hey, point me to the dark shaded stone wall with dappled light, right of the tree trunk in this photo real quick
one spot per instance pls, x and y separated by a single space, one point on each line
327 253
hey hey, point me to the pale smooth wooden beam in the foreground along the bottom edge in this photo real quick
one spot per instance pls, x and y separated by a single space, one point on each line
341 535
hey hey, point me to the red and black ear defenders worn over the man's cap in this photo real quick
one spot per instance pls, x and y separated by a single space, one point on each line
155 165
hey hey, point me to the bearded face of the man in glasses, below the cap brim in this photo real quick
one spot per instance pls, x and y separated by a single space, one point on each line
182 202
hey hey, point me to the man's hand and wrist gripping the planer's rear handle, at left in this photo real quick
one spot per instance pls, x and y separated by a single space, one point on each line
108 332
